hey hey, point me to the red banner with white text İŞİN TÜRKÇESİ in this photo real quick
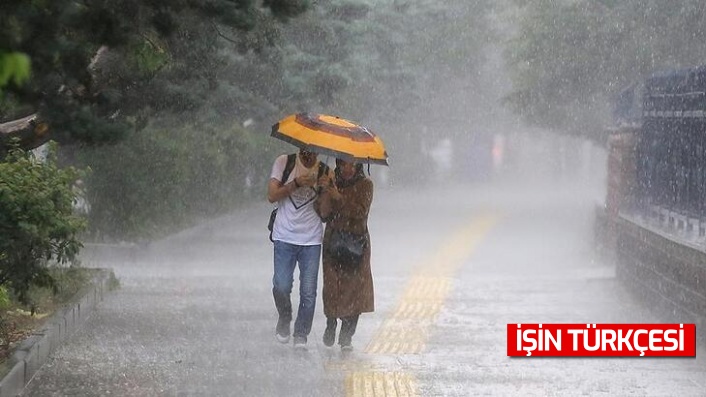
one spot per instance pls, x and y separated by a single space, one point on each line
601 340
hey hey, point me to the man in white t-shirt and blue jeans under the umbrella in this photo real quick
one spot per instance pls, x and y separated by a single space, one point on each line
297 235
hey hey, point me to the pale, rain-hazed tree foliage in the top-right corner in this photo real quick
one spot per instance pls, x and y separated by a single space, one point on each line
569 58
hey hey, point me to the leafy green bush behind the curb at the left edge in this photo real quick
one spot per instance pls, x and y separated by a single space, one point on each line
37 223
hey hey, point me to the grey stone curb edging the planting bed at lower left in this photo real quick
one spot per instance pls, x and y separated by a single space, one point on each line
34 351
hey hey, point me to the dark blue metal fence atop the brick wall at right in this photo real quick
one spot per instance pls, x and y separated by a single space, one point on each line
671 153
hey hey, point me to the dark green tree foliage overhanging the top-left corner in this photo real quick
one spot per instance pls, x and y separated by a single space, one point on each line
100 68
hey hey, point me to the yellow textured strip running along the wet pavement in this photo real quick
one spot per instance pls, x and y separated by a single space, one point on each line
407 328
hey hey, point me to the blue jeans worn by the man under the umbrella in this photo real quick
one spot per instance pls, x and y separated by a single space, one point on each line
286 258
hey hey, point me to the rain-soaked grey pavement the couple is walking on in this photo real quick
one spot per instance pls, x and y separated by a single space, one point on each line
452 266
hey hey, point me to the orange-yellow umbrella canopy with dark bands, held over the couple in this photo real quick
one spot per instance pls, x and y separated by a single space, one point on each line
332 136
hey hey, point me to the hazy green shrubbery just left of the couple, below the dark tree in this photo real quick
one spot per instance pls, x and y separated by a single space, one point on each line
160 180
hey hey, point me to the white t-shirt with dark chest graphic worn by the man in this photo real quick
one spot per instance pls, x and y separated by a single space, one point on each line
297 222
